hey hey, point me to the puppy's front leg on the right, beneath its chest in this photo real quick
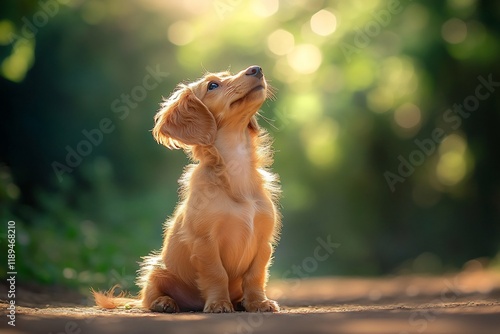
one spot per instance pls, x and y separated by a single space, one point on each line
254 283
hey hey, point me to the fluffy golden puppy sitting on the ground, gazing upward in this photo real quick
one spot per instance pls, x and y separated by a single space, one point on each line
218 244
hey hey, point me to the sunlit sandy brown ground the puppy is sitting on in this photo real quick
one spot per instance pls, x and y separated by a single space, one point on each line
466 302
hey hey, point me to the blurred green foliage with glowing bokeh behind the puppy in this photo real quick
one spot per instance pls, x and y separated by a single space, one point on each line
361 86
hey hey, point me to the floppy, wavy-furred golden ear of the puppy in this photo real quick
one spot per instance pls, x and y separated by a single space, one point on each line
184 120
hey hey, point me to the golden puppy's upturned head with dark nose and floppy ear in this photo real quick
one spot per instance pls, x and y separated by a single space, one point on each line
194 112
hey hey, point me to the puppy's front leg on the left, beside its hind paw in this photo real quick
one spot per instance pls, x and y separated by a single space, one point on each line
212 277
